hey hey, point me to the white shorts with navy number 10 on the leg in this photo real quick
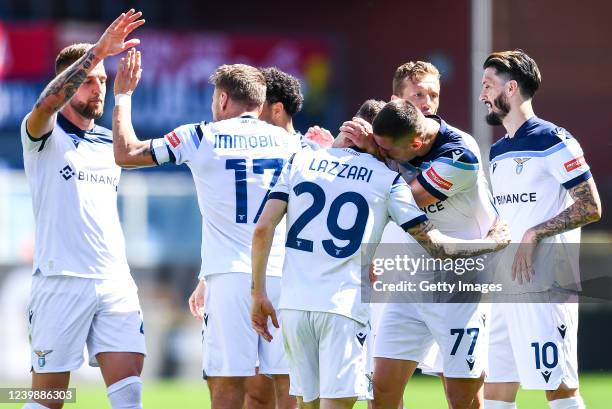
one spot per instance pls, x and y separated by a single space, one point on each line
534 344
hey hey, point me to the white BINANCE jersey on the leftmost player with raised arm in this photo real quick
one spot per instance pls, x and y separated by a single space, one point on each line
73 180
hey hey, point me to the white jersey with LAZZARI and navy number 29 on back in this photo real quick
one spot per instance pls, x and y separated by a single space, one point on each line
337 200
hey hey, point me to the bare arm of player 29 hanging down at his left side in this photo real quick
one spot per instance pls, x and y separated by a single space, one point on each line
261 307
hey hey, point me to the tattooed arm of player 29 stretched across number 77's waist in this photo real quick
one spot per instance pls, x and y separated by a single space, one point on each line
439 245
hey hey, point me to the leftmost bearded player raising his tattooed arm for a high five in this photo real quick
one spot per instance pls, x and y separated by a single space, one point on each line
82 290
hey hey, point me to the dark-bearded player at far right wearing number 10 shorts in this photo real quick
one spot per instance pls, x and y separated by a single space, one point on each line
543 187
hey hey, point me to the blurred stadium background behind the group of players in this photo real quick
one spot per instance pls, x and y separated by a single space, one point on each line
343 52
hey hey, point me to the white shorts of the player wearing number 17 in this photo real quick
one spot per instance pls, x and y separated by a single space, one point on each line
230 345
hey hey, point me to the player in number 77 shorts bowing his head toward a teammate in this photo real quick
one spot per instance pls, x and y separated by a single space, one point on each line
452 189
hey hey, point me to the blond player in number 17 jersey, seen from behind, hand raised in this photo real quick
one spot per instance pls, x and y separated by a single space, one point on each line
235 161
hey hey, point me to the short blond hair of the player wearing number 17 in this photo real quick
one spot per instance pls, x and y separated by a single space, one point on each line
243 83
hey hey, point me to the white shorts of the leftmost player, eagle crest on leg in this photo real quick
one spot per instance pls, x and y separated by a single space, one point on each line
66 313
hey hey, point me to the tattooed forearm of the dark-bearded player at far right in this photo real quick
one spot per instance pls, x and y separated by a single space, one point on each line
586 209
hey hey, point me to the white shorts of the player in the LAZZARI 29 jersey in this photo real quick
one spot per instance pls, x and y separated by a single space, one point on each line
327 355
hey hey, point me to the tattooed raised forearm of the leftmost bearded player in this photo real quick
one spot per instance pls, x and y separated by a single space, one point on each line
65 85
